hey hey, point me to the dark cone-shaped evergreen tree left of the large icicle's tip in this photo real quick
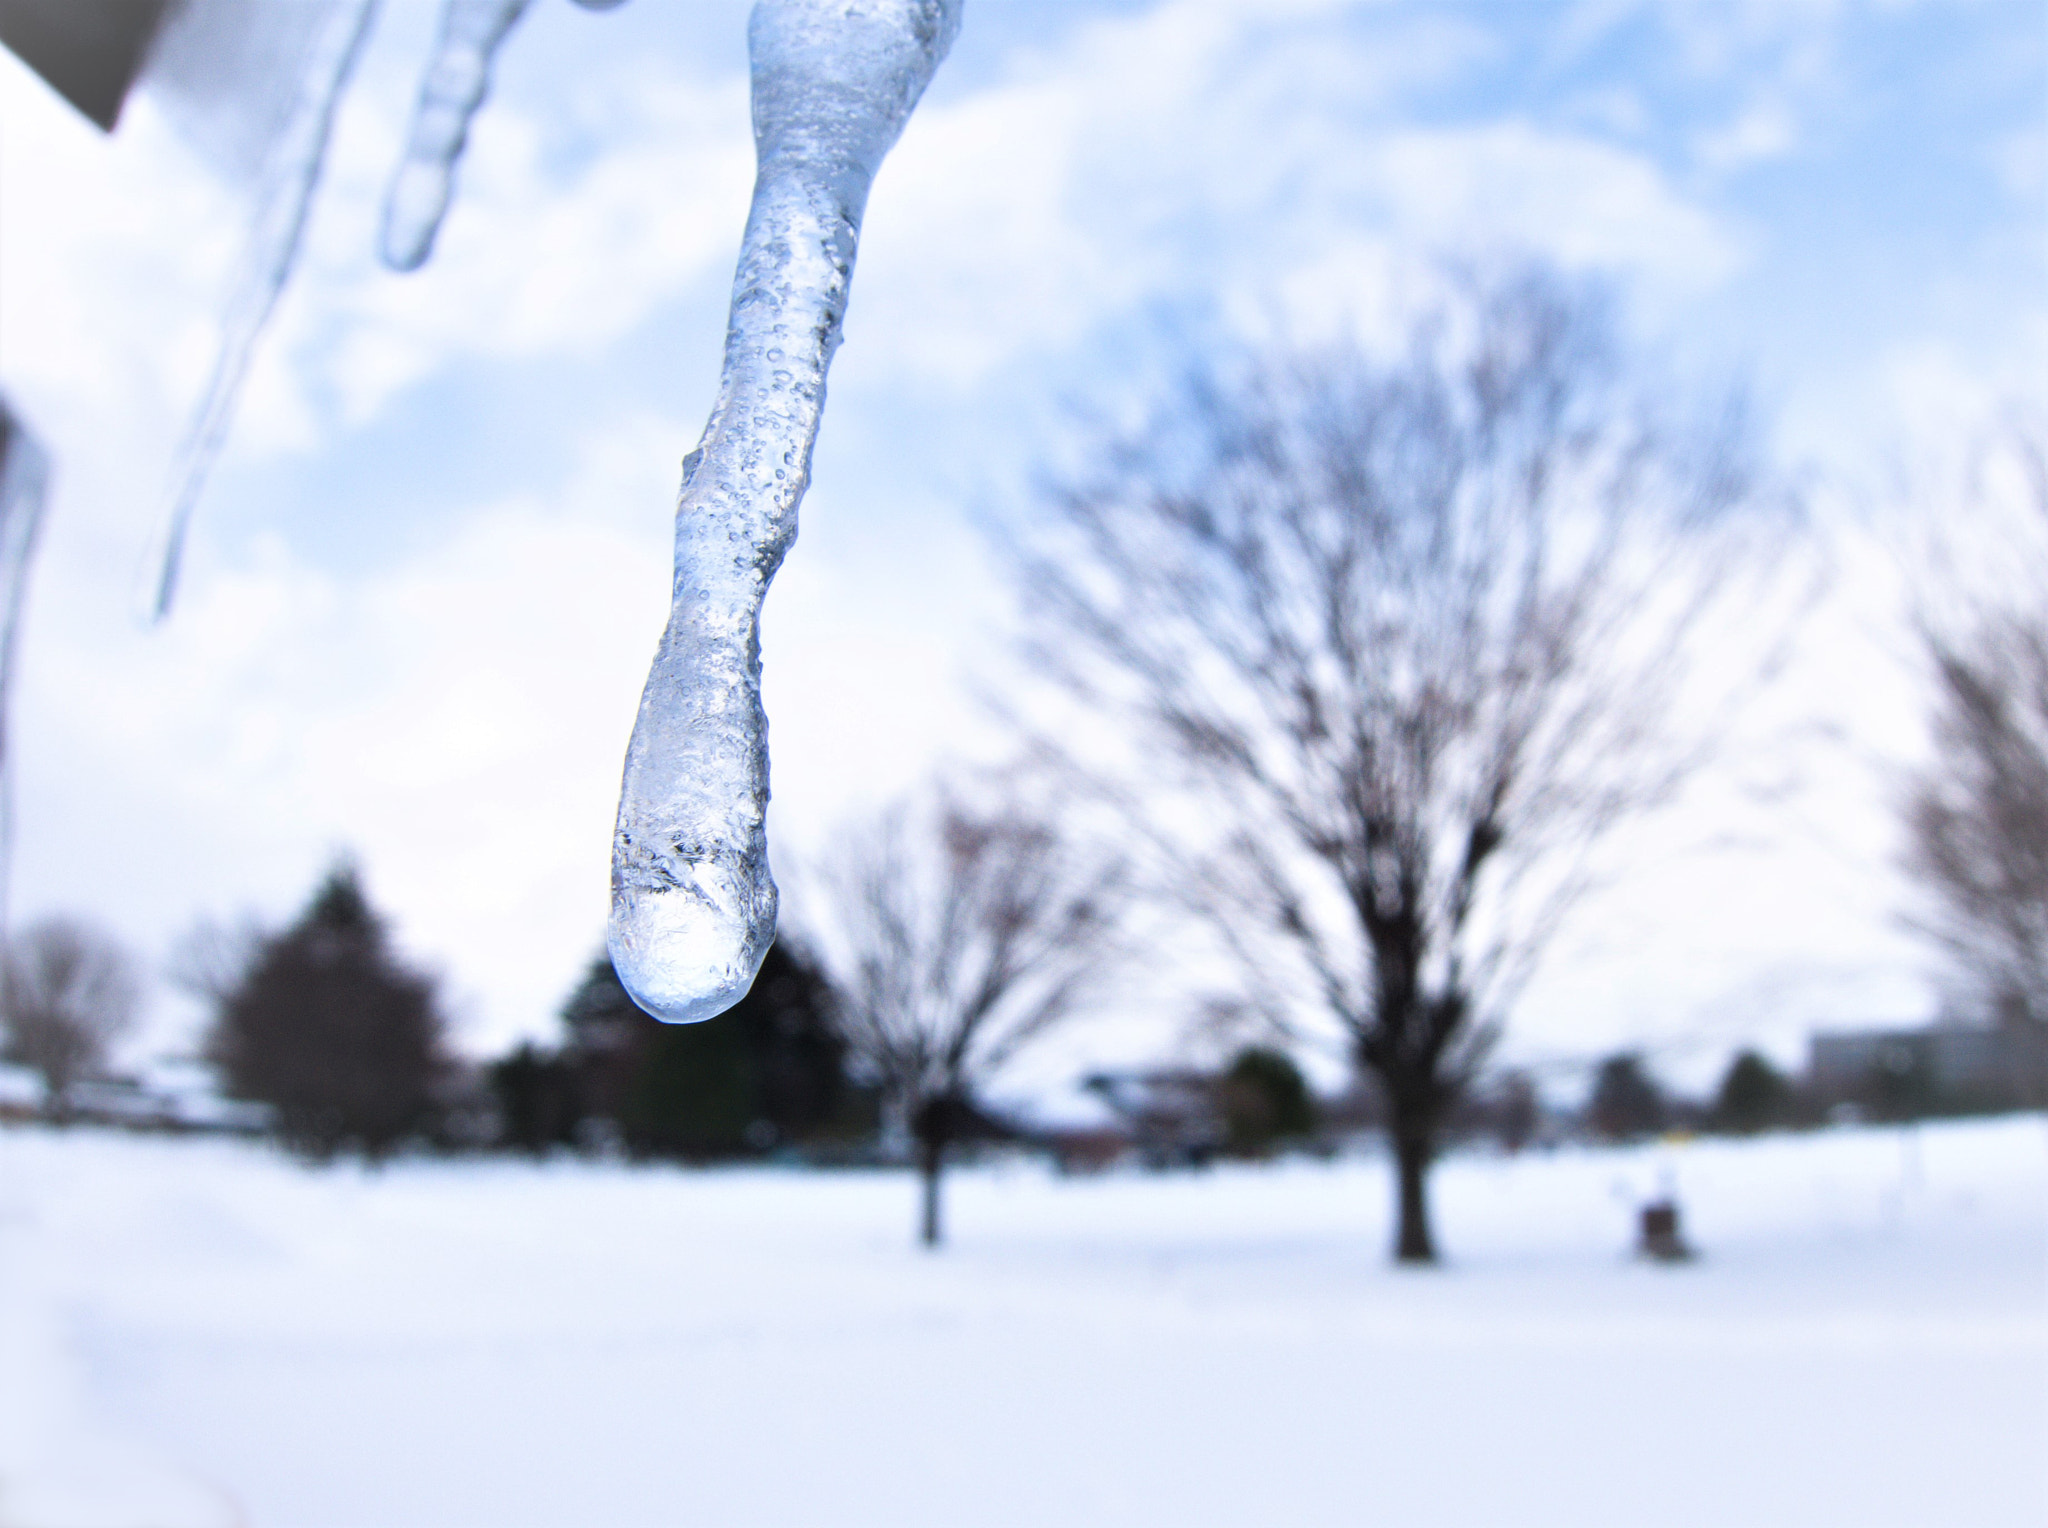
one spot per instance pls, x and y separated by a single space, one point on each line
333 1031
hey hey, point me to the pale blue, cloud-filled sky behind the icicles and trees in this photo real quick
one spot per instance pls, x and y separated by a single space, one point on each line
433 562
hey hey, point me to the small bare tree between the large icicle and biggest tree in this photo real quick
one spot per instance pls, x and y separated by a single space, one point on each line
955 939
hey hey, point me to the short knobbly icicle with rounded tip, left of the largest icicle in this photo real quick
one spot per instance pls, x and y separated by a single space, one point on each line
452 91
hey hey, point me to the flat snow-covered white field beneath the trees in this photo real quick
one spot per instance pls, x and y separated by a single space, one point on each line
208 1334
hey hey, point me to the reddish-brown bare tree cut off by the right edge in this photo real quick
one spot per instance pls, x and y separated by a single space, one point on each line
1977 810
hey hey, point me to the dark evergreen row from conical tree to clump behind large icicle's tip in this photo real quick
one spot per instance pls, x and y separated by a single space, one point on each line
347 1046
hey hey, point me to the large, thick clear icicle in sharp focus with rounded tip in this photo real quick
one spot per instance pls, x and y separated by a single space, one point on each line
693 902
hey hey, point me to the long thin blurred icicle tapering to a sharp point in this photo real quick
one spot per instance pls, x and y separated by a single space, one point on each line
282 208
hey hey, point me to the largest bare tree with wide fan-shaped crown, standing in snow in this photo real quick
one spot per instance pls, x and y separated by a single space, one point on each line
1394 646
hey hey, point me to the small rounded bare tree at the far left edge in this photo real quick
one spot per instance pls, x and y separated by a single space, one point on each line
69 992
